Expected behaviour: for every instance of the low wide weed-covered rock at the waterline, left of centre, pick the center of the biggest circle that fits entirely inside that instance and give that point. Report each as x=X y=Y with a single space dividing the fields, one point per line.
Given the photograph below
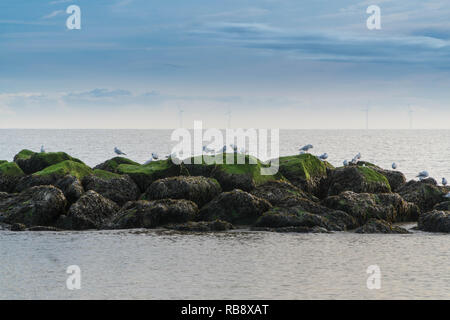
x=151 y=214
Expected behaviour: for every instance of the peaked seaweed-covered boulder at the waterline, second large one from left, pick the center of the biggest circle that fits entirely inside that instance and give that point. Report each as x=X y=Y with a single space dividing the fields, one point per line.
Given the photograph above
x=91 y=211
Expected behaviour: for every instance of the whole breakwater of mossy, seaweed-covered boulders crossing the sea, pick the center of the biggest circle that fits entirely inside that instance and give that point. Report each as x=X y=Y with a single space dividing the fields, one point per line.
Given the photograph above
x=55 y=191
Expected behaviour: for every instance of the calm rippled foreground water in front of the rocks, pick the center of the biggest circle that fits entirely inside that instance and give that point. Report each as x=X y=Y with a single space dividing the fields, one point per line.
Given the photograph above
x=159 y=264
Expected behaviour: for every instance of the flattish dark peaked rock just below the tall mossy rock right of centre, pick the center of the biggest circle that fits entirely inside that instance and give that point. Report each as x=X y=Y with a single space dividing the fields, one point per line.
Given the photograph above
x=278 y=192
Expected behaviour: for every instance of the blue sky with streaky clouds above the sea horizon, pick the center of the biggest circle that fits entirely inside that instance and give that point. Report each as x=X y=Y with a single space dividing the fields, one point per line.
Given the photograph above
x=309 y=64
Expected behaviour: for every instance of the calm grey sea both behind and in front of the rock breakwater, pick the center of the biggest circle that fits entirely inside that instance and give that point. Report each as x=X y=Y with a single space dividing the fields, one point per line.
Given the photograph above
x=156 y=264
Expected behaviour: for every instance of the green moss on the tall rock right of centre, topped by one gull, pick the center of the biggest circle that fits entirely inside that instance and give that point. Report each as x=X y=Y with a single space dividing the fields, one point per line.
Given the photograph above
x=305 y=166
